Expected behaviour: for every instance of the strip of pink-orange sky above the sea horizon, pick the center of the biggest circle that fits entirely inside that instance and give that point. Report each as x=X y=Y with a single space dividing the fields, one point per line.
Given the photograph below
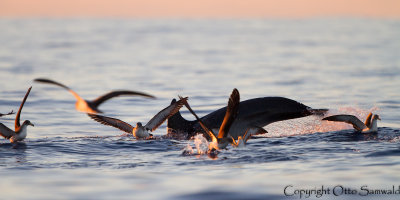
x=200 y=8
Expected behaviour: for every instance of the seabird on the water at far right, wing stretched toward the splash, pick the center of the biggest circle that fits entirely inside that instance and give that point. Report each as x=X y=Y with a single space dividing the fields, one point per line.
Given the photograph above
x=370 y=125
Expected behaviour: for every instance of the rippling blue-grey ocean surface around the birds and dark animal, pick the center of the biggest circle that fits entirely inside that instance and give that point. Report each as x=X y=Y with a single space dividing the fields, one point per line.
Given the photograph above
x=349 y=65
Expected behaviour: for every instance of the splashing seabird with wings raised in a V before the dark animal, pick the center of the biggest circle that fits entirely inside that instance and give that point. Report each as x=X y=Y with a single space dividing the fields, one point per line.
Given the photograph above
x=221 y=140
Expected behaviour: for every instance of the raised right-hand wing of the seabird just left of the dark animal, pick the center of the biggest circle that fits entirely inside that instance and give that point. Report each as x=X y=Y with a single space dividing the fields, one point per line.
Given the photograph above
x=166 y=113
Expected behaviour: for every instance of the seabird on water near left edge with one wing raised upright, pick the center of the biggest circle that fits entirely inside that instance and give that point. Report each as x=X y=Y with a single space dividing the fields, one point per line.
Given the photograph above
x=20 y=130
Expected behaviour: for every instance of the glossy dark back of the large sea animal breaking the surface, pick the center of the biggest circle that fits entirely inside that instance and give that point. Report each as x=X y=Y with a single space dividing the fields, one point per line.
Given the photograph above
x=253 y=113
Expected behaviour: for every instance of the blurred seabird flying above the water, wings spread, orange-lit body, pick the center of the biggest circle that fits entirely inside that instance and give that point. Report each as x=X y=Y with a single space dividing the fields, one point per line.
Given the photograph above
x=91 y=106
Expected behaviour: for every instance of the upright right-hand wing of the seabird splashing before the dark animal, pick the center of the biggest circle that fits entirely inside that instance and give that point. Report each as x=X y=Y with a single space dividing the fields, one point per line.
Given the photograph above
x=230 y=115
